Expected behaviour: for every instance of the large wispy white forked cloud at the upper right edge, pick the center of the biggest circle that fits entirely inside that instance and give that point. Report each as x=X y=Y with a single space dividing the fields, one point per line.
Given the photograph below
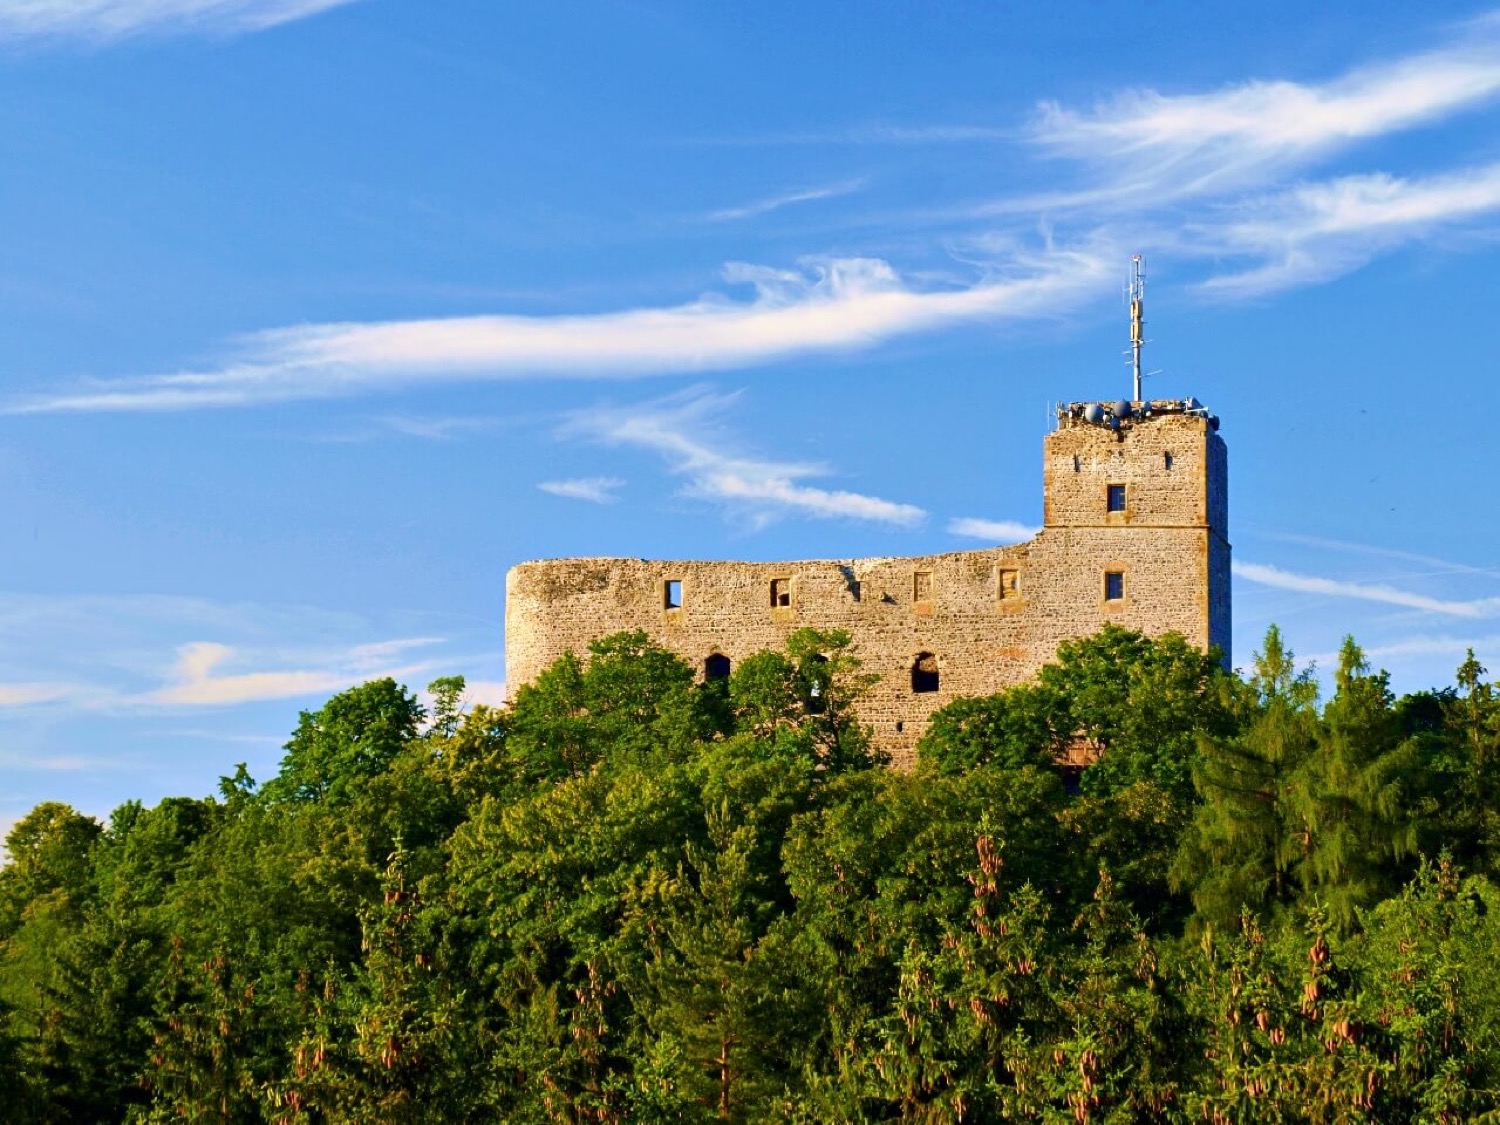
x=1205 y=176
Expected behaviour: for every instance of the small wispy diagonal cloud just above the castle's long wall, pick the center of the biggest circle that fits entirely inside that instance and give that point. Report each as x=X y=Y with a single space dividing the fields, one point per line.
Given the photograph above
x=683 y=430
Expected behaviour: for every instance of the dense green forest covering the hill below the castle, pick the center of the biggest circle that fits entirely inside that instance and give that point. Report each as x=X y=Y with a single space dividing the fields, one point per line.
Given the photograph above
x=637 y=898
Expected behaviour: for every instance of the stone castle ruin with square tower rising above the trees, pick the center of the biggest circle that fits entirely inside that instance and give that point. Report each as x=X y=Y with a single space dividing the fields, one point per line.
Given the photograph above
x=1136 y=533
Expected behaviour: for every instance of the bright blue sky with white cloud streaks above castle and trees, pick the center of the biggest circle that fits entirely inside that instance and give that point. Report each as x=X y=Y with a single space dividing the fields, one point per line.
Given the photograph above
x=320 y=314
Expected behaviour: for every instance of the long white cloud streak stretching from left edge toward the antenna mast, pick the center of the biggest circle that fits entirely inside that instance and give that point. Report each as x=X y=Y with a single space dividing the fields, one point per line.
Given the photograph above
x=827 y=307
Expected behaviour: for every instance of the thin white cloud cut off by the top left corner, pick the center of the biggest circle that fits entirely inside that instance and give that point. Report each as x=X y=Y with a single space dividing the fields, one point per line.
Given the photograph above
x=107 y=20
